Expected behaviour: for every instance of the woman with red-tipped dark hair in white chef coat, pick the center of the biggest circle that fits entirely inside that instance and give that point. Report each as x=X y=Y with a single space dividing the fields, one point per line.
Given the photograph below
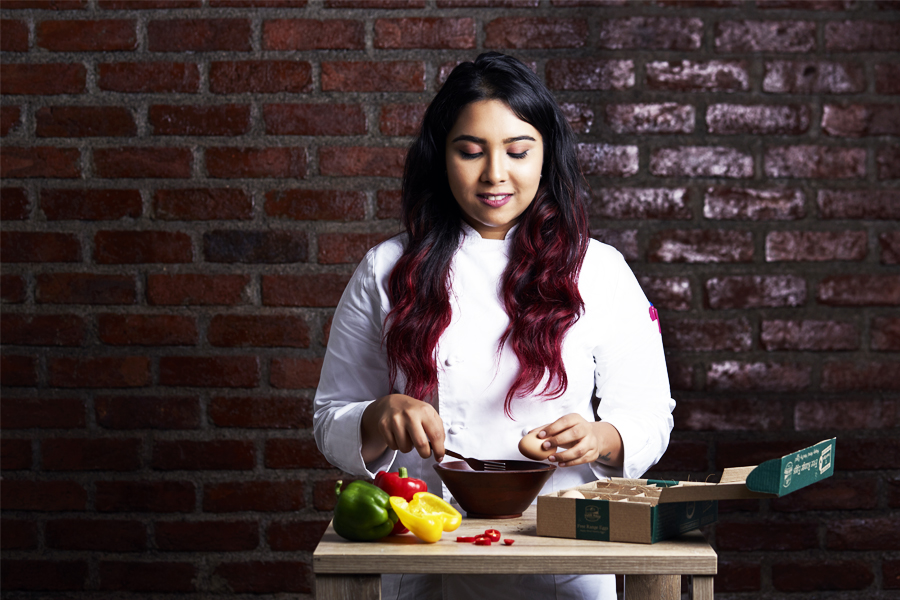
x=494 y=314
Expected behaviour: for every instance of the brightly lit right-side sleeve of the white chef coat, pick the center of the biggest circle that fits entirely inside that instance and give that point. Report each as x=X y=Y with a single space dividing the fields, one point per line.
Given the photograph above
x=630 y=376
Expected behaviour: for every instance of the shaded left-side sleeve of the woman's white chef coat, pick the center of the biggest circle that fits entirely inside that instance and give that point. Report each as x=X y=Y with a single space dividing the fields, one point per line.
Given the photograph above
x=354 y=374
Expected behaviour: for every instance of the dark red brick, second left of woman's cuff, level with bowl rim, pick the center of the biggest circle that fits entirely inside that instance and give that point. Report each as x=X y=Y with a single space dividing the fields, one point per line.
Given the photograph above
x=203 y=455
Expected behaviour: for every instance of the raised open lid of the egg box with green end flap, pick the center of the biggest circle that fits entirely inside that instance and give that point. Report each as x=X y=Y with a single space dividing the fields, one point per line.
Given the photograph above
x=771 y=479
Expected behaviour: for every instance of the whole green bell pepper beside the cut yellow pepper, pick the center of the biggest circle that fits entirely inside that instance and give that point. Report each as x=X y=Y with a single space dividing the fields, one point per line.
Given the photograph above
x=363 y=512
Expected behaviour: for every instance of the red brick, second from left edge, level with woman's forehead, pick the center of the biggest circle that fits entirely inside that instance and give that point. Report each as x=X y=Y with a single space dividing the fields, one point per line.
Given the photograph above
x=84 y=121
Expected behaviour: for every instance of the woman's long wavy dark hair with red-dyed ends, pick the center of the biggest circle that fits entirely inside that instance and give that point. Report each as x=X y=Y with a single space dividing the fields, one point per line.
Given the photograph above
x=540 y=284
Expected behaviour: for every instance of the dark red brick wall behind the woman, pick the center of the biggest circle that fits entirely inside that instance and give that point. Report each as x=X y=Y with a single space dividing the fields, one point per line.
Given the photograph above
x=187 y=185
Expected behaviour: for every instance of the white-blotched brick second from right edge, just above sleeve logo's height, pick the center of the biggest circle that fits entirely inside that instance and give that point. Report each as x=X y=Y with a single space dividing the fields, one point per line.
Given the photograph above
x=755 y=291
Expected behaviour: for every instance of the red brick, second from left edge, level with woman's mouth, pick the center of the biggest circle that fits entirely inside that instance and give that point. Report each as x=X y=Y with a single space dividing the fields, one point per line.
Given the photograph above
x=90 y=205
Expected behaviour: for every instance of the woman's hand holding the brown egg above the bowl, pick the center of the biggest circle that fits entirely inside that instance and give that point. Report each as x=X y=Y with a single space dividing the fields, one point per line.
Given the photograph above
x=582 y=441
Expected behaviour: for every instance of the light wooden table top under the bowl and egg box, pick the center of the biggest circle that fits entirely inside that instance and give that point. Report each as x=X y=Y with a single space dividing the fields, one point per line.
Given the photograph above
x=689 y=554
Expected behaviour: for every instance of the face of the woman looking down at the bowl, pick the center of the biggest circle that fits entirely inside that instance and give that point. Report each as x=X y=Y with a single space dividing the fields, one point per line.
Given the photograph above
x=494 y=162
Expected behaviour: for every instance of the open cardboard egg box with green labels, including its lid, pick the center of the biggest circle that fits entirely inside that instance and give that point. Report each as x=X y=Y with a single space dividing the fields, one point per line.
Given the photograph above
x=646 y=511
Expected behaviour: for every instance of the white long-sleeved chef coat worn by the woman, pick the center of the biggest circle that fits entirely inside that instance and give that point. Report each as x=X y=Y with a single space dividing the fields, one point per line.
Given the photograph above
x=614 y=348
